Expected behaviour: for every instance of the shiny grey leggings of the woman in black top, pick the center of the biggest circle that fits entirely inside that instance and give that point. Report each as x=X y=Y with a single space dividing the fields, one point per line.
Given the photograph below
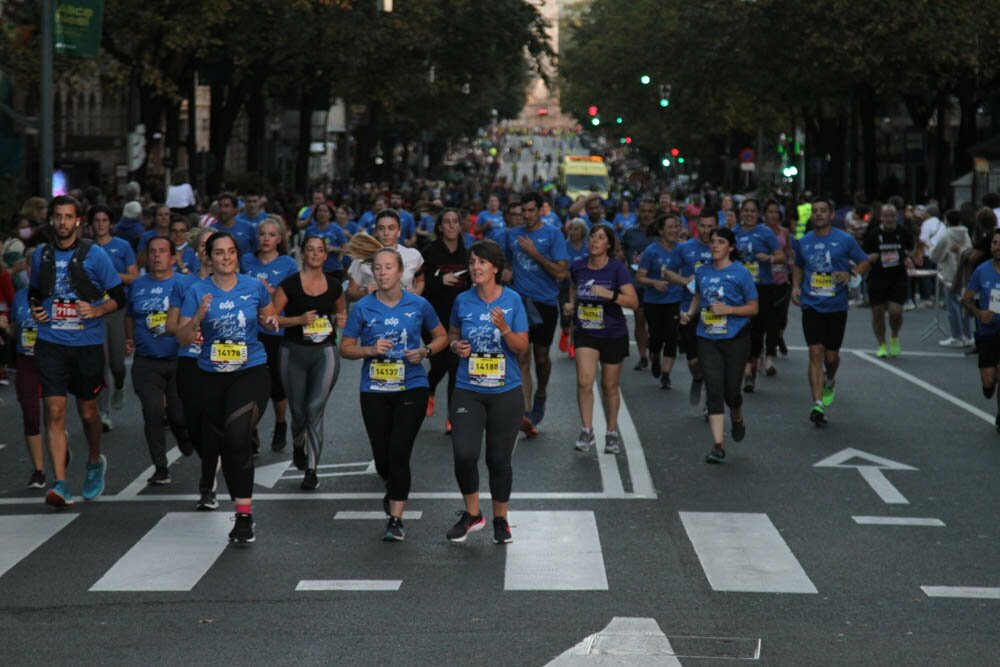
x=308 y=373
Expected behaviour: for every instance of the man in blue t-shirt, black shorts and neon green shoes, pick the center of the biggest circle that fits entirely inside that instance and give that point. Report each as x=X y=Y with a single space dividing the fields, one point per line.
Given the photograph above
x=820 y=275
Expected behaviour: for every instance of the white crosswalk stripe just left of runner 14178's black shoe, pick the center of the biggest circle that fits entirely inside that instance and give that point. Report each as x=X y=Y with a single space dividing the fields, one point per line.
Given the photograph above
x=173 y=556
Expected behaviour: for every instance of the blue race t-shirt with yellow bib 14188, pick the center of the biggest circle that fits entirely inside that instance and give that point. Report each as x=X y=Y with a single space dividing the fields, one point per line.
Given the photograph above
x=492 y=368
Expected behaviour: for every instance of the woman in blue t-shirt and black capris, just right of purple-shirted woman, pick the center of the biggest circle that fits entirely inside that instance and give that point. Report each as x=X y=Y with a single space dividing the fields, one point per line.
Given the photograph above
x=661 y=298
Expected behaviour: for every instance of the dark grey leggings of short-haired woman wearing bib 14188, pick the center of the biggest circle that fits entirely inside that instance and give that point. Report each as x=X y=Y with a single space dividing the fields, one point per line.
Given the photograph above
x=499 y=416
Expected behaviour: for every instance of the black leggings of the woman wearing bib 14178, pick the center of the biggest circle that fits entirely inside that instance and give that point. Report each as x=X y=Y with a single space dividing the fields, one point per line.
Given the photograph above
x=232 y=404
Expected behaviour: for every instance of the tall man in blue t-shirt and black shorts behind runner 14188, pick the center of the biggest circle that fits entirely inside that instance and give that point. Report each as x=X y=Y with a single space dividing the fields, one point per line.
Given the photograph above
x=538 y=258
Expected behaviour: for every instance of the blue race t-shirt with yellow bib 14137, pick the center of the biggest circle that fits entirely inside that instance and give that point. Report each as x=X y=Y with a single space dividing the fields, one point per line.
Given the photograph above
x=403 y=324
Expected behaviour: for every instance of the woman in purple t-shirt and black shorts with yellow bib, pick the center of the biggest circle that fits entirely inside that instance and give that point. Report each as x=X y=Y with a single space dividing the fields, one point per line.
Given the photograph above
x=599 y=288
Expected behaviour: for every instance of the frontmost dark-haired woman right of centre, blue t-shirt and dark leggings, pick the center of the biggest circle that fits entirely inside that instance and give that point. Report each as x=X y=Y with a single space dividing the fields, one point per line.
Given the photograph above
x=727 y=299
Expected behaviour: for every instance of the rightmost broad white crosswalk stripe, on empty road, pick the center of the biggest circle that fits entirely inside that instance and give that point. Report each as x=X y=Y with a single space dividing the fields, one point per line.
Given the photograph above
x=745 y=553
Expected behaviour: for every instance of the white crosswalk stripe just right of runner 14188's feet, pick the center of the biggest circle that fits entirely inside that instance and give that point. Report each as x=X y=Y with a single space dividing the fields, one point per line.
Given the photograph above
x=554 y=551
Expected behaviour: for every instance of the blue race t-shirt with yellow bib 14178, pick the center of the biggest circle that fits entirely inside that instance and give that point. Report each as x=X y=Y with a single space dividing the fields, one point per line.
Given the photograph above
x=230 y=326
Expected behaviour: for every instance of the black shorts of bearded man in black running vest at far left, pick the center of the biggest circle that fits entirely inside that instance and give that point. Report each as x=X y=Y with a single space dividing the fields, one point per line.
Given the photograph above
x=68 y=369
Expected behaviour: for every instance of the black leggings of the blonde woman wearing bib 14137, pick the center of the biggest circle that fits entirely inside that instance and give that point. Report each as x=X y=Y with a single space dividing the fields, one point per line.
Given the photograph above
x=393 y=421
